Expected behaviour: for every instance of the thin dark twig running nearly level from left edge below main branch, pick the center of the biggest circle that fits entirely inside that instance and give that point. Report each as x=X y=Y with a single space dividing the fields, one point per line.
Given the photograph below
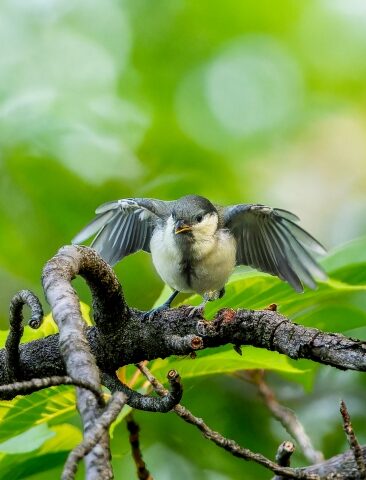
x=30 y=386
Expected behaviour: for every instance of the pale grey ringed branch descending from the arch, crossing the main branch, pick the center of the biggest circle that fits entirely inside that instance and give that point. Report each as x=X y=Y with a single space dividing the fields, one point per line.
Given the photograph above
x=75 y=349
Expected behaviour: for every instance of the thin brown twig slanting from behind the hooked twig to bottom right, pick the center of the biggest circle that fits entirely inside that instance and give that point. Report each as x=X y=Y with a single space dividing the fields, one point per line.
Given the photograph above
x=220 y=440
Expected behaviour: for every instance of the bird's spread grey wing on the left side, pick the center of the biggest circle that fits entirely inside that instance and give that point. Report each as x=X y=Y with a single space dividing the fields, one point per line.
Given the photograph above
x=123 y=227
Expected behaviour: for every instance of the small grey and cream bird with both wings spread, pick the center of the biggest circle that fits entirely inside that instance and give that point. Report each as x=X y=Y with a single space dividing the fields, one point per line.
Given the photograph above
x=196 y=244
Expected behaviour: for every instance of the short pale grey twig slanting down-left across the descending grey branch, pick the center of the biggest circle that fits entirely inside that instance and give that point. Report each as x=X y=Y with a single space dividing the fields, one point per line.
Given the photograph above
x=94 y=435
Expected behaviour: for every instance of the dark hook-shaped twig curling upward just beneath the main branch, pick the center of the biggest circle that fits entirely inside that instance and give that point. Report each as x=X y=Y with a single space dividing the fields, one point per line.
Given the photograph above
x=144 y=402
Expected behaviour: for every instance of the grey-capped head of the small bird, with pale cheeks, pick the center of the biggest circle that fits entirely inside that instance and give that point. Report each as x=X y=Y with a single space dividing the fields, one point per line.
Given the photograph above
x=194 y=216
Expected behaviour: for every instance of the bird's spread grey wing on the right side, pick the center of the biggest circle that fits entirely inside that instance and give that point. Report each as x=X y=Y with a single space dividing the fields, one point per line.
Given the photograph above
x=270 y=239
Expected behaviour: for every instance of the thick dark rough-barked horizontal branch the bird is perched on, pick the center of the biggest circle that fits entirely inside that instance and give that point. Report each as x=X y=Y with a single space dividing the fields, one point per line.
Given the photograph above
x=157 y=338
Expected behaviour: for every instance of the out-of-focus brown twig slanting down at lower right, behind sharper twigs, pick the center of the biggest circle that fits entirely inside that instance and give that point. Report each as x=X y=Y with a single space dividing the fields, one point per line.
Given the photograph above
x=284 y=415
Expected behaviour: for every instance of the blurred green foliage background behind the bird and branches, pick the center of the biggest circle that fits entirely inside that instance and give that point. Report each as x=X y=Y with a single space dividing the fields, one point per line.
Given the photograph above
x=238 y=101
